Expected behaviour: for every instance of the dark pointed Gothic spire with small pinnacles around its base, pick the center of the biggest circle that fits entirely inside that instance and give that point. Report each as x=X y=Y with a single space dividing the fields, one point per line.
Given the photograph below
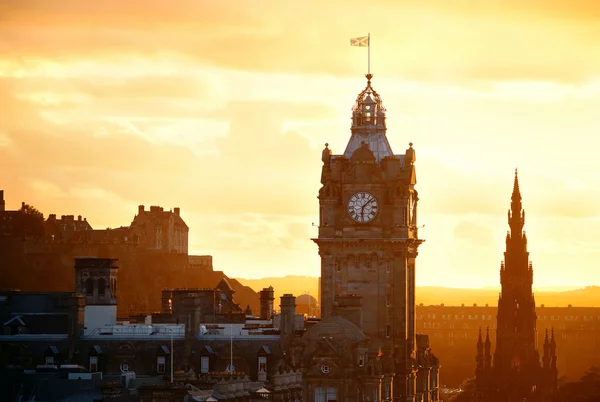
x=515 y=374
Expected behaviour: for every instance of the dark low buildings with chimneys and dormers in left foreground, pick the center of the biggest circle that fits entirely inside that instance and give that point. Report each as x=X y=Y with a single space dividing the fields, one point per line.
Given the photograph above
x=225 y=355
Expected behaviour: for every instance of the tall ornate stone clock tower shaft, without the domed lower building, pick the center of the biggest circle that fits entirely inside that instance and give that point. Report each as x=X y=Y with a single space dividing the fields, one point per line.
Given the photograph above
x=368 y=238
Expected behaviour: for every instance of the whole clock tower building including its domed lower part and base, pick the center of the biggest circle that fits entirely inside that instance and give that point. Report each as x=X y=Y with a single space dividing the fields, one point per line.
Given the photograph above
x=368 y=240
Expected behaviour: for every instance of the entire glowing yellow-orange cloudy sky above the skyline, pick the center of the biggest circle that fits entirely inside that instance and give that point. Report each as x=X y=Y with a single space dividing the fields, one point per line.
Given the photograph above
x=222 y=108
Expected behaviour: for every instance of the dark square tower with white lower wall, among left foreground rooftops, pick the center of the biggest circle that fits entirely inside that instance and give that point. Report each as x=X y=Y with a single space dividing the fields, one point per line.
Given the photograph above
x=96 y=280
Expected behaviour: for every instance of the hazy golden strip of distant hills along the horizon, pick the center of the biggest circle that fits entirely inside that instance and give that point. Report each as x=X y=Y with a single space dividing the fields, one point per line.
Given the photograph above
x=297 y=285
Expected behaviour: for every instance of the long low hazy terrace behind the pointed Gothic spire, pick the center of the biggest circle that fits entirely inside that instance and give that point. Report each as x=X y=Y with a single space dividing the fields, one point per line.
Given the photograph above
x=453 y=330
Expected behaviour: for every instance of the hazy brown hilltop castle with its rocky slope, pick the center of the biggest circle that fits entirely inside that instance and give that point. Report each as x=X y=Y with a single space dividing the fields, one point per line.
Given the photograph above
x=153 y=246
